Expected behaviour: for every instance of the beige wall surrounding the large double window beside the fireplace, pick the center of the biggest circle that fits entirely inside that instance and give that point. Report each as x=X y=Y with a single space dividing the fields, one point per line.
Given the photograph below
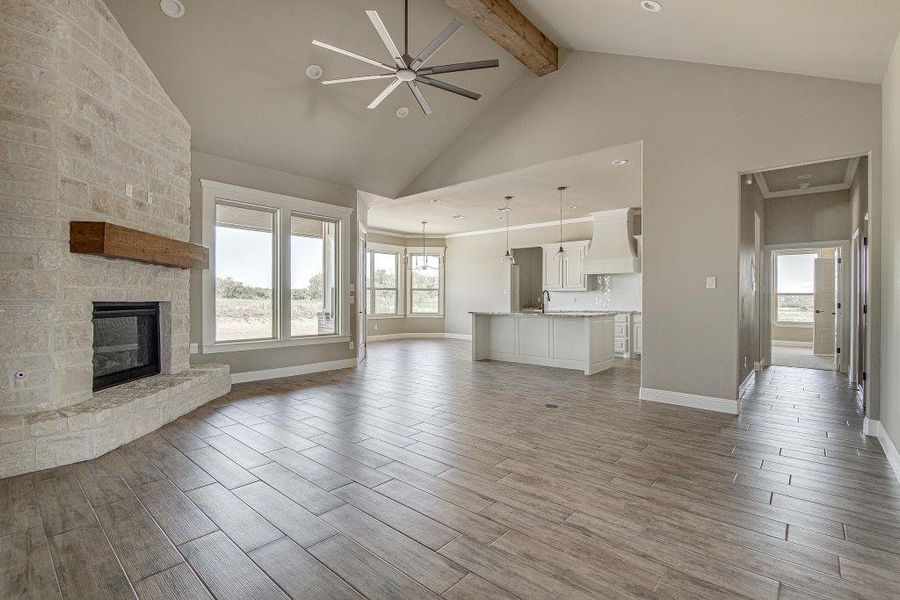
x=206 y=166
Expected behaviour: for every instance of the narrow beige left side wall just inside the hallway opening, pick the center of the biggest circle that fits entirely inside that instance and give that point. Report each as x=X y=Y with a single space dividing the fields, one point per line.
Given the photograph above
x=753 y=208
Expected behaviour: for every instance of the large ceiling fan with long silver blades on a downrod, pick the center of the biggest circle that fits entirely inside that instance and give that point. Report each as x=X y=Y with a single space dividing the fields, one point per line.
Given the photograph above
x=409 y=70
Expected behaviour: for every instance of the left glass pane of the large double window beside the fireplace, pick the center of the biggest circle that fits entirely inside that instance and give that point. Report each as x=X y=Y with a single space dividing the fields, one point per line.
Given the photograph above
x=244 y=266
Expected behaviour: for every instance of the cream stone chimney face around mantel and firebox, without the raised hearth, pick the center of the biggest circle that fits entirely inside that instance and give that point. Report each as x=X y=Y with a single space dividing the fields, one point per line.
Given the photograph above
x=81 y=116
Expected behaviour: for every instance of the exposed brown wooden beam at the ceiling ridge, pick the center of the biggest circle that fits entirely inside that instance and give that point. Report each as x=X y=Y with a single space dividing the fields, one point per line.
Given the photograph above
x=504 y=24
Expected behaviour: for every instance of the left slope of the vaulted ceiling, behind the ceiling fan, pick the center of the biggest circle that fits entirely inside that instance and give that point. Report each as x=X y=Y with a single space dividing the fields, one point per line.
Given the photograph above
x=236 y=70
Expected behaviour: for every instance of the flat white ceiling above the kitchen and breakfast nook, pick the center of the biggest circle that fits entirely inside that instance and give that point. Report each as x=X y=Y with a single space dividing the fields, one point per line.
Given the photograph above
x=594 y=184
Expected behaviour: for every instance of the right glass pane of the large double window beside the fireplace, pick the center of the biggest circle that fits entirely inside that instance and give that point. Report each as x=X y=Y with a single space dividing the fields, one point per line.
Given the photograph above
x=313 y=274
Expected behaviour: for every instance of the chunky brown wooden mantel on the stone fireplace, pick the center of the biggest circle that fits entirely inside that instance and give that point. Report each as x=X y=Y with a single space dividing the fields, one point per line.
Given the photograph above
x=114 y=241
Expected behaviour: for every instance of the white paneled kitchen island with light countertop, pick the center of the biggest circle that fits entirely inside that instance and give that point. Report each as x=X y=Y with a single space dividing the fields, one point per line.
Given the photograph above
x=582 y=341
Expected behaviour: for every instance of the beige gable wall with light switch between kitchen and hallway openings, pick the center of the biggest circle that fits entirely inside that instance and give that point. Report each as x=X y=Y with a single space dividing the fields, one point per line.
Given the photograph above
x=701 y=125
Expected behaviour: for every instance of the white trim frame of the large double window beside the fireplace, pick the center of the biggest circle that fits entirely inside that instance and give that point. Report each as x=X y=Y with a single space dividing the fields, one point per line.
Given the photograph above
x=285 y=205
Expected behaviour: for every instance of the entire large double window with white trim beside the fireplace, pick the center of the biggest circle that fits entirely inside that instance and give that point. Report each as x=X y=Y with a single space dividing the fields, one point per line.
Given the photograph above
x=275 y=277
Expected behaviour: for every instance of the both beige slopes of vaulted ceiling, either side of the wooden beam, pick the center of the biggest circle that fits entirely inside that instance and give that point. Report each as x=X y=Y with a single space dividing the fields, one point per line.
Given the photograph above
x=236 y=67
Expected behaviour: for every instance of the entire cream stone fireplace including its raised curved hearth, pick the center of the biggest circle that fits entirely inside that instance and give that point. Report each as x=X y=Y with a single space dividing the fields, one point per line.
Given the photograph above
x=92 y=136
